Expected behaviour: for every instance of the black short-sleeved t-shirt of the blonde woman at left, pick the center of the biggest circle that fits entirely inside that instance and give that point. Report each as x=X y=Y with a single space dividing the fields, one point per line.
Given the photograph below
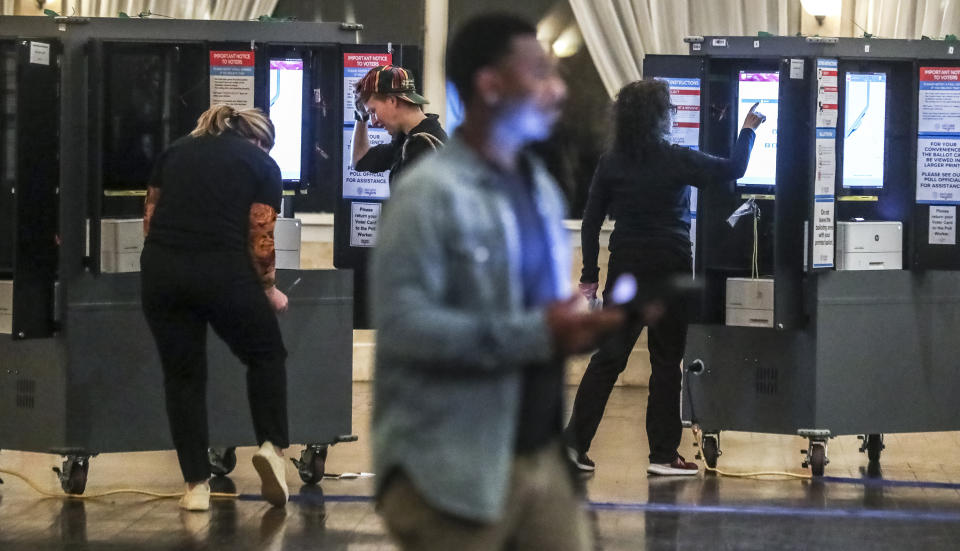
x=208 y=185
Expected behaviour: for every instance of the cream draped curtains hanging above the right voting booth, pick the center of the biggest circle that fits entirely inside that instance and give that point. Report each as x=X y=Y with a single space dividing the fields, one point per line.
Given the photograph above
x=619 y=33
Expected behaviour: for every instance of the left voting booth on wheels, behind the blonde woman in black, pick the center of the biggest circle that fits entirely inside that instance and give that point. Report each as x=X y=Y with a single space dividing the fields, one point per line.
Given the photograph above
x=88 y=105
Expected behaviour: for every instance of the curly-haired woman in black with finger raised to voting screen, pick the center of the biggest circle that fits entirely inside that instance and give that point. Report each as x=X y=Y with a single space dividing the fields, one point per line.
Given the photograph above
x=643 y=182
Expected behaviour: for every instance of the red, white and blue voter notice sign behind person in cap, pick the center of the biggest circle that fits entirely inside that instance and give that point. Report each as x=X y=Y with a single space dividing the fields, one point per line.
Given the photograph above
x=361 y=185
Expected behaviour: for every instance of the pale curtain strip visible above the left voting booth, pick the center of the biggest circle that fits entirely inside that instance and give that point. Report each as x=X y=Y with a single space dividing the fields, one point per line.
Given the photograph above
x=180 y=9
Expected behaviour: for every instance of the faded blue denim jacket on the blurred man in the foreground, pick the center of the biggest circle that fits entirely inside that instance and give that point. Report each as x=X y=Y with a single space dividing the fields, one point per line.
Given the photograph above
x=452 y=330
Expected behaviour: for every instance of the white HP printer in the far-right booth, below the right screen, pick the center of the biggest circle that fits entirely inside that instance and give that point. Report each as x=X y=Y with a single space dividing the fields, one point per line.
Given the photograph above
x=866 y=245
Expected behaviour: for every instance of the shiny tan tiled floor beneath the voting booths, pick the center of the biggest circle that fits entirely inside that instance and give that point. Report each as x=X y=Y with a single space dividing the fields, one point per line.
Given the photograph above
x=849 y=510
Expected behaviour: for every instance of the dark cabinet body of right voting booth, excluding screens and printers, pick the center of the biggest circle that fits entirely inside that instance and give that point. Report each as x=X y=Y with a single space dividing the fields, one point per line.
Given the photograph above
x=849 y=352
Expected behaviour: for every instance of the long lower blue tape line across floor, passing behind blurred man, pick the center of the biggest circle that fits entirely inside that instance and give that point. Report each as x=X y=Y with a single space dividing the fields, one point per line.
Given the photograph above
x=691 y=508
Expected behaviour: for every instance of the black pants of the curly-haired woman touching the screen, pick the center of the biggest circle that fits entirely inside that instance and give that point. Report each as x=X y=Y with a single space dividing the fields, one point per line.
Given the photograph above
x=656 y=271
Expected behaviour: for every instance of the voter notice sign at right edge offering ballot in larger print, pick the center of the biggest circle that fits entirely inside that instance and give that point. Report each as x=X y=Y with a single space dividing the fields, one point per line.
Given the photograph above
x=938 y=140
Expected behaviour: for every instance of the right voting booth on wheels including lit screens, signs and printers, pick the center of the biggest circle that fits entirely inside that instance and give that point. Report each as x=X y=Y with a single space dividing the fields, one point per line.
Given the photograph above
x=828 y=294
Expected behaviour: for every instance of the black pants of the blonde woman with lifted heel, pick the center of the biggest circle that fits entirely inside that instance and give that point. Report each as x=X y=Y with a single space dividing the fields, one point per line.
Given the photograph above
x=182 y=293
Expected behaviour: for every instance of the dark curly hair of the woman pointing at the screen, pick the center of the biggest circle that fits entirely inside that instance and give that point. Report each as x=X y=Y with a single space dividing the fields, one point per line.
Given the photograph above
x=641 y=117
